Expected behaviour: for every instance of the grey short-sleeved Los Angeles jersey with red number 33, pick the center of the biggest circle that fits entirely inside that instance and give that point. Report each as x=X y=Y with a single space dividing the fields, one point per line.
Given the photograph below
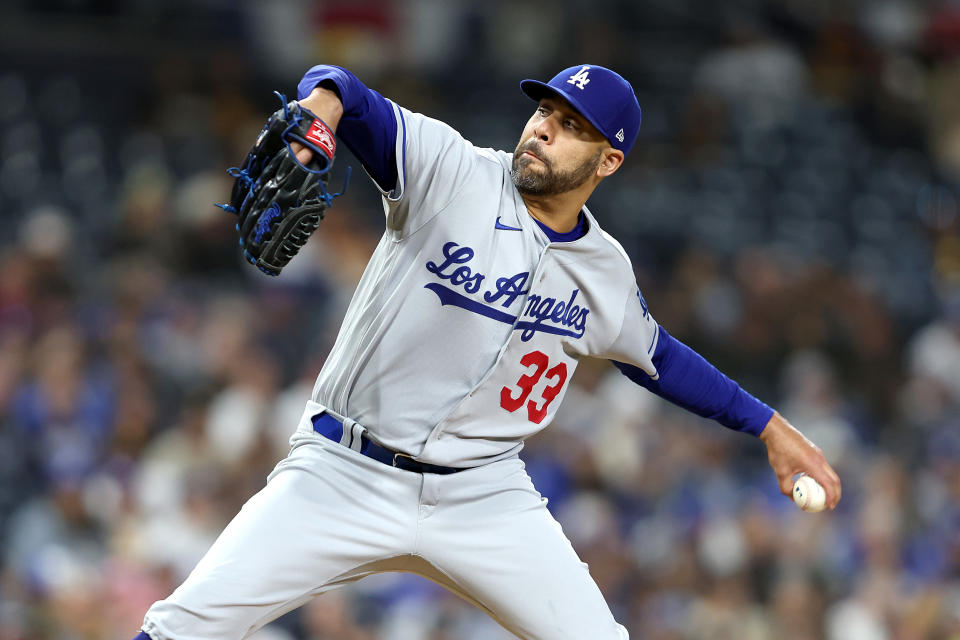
x=468 y=322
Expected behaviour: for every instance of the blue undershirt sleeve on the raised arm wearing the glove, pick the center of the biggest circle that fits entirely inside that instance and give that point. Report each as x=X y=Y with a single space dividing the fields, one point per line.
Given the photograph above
x=368 y=126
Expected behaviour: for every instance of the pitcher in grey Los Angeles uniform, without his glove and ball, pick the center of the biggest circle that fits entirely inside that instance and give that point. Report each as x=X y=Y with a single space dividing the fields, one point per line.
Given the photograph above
x=491 y=281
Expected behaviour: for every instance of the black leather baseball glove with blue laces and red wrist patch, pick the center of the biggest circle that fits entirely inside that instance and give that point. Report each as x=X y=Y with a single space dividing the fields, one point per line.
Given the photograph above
x=279 y=201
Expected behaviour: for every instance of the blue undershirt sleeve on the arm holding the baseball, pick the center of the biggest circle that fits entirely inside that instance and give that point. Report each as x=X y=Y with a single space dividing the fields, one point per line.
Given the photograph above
x=687 y=380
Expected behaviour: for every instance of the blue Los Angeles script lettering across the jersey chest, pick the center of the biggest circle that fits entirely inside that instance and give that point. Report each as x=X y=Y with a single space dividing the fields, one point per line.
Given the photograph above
x=544 y=310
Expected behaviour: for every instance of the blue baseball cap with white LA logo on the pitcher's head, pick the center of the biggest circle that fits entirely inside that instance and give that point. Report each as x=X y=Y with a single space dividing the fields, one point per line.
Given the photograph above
x=600 y=95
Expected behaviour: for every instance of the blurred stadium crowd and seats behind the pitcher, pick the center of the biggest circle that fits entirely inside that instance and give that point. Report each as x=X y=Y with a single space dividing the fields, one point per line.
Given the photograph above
x=791 y=208
